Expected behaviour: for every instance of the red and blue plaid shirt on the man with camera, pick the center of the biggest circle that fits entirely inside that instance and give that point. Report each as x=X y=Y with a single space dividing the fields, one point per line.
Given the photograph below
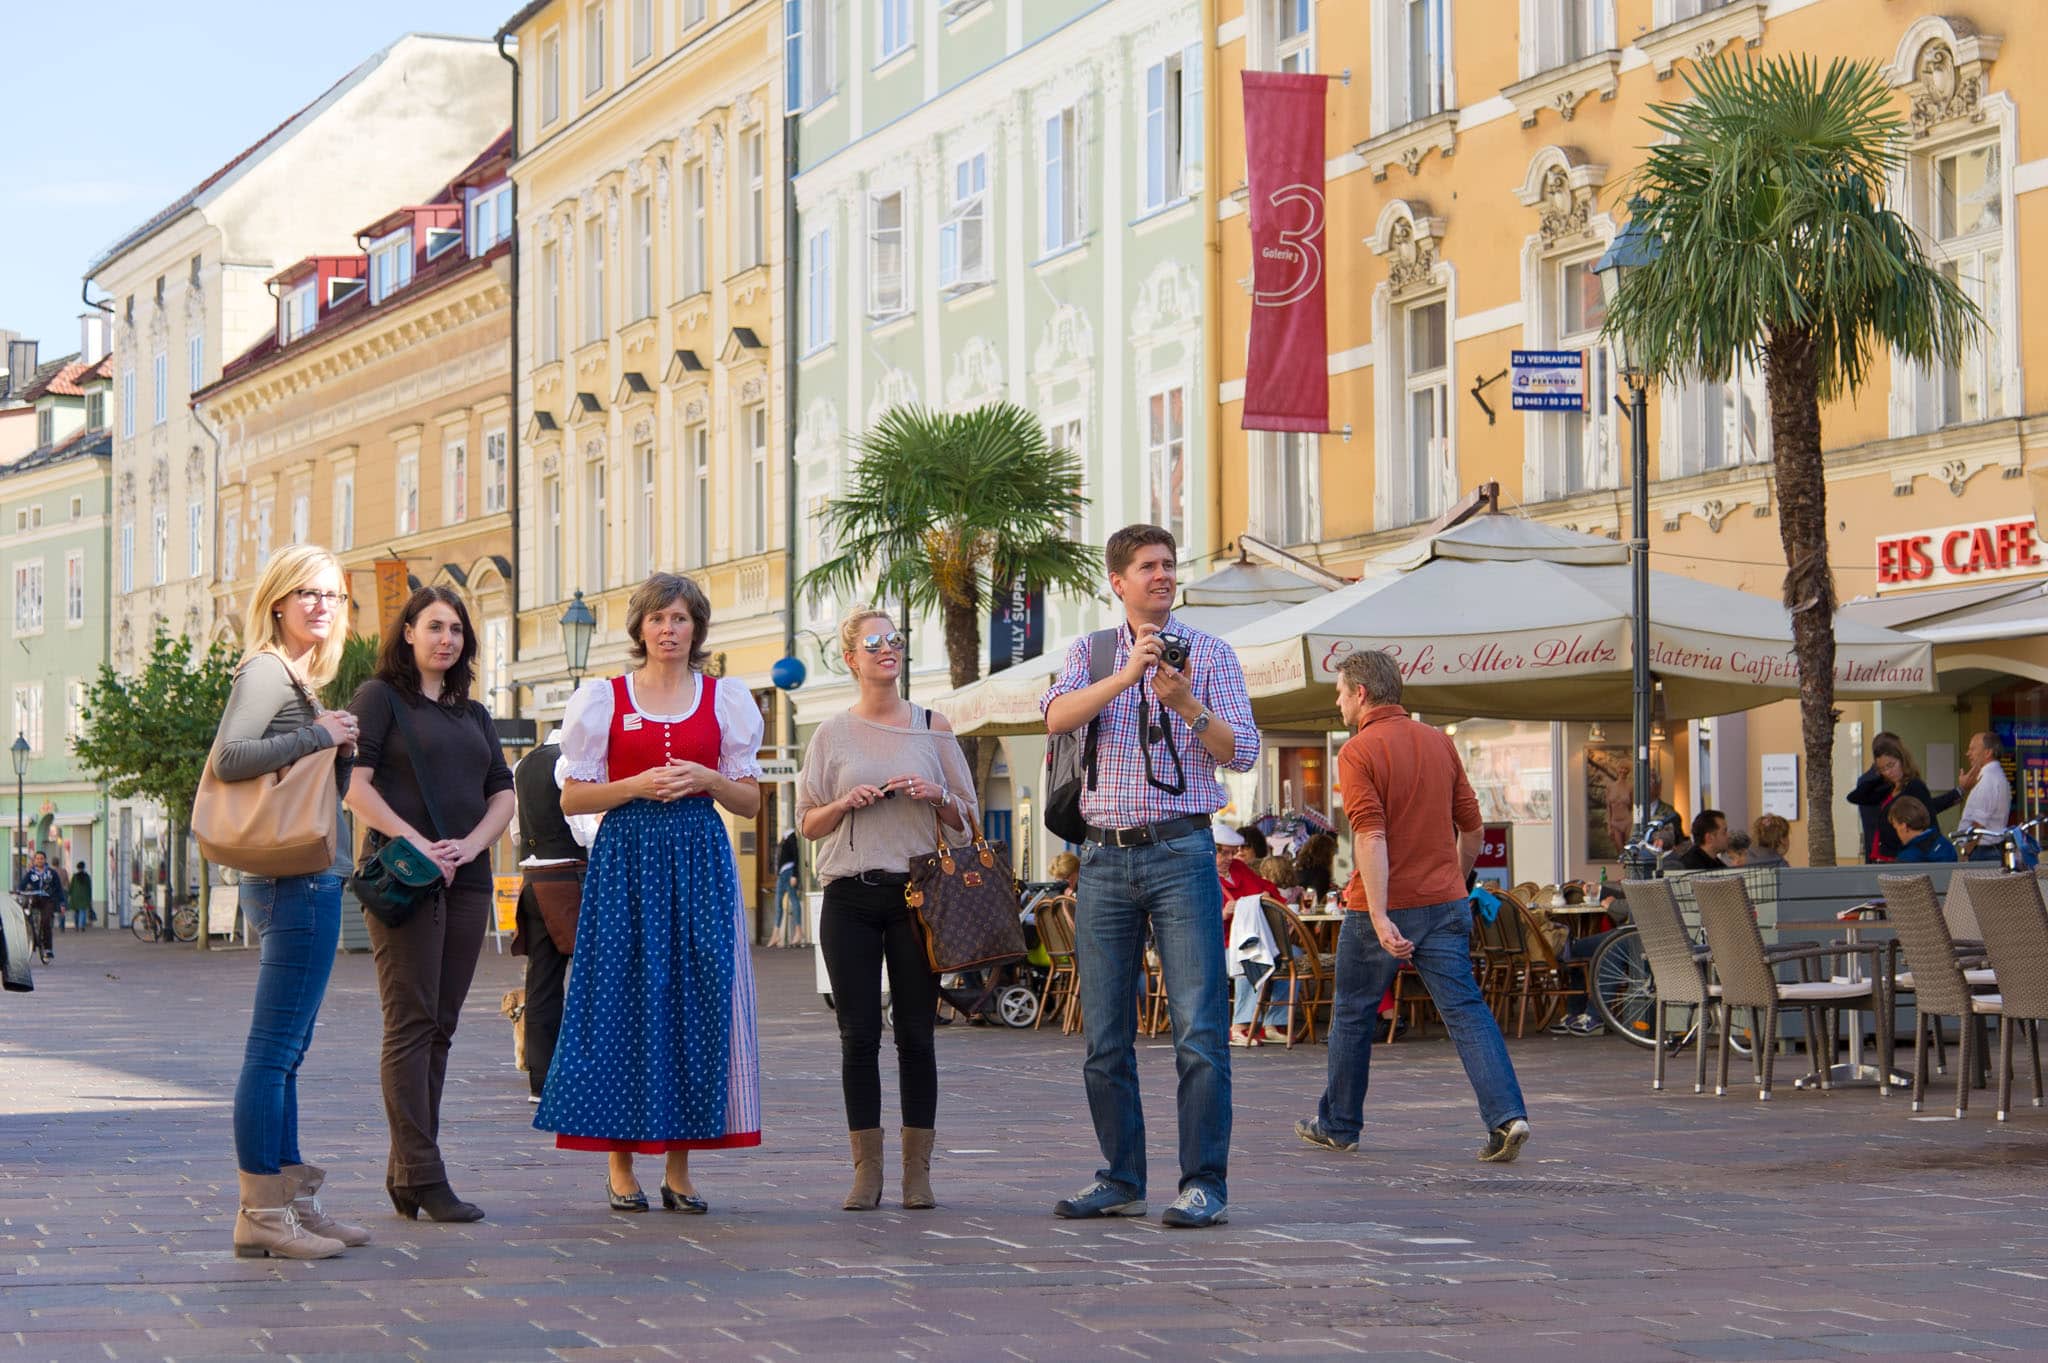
x=1121 y=795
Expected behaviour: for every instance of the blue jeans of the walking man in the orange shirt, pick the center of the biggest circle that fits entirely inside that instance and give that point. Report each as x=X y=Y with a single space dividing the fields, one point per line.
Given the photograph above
x=1443 y=936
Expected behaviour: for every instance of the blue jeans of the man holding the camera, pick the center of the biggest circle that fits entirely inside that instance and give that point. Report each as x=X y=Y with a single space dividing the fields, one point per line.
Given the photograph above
x=1170 y=887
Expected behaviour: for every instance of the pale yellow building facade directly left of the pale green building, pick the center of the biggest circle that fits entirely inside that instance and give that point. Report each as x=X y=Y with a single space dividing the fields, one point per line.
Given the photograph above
x=650 y=333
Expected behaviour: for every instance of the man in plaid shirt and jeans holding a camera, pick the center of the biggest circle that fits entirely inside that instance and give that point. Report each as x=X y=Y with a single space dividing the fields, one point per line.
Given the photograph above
x=1150 y=861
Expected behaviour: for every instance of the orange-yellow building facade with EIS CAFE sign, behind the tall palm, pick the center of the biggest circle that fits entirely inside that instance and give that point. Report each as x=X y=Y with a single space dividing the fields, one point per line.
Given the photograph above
x=1478 y=155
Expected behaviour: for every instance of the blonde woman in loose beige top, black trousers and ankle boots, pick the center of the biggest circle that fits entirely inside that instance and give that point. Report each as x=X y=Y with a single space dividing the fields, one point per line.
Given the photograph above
x=871 y=789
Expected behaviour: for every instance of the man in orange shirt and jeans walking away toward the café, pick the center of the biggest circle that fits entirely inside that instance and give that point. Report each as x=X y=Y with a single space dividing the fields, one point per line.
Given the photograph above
x=1416 y=834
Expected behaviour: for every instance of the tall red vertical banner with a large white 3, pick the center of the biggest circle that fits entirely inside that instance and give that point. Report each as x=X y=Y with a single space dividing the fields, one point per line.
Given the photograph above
x=1287 y=363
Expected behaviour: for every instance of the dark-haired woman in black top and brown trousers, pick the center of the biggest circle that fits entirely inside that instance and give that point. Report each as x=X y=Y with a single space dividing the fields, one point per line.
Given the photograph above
x=425 y=965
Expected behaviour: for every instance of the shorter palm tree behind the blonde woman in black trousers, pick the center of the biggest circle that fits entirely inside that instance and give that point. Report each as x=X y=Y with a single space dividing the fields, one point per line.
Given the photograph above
x=943 y=507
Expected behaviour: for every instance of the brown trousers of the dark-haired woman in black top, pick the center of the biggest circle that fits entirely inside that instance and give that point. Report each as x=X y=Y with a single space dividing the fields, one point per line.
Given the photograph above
x=423 y=977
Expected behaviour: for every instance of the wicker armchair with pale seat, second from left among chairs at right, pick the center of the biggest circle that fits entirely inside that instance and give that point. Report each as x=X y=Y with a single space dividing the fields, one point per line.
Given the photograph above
x=1750 y=981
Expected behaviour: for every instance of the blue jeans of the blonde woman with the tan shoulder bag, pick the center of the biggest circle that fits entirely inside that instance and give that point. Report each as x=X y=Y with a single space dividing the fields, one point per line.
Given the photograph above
x=300 y=920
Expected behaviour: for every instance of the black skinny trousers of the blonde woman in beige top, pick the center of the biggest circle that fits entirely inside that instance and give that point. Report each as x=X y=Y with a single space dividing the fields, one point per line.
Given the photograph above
x=863 y=926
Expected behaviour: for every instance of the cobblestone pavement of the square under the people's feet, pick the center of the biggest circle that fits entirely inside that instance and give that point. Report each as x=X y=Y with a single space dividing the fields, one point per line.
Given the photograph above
x=1637 y=1227
